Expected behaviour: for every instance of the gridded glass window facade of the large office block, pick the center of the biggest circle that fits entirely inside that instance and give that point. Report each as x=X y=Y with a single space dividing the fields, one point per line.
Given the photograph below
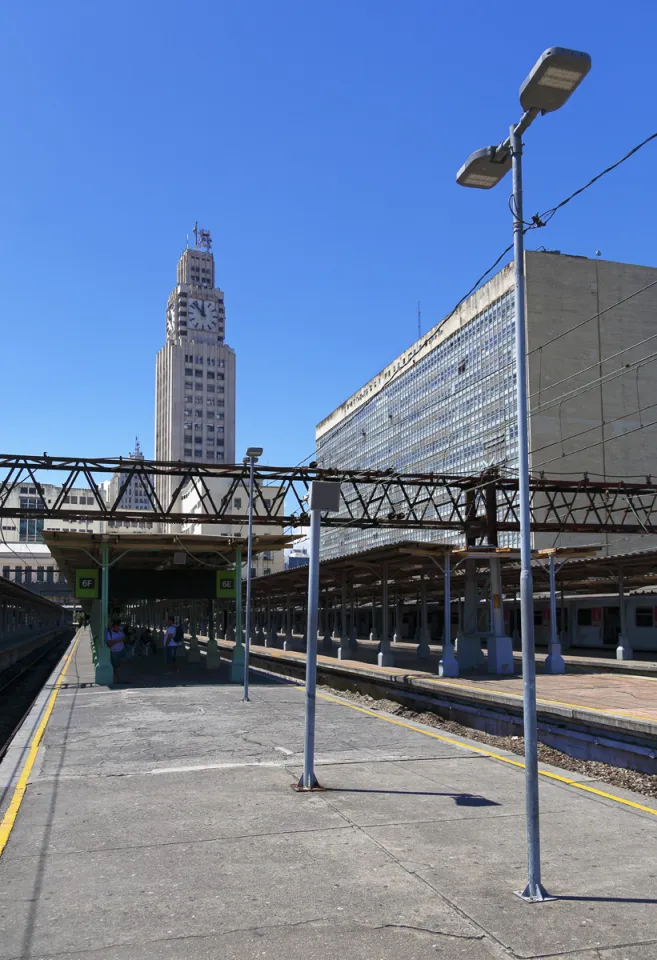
x=453 y=411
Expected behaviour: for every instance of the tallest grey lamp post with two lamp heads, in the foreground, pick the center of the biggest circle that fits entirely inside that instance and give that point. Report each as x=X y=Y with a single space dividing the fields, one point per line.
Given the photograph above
x=556 y=74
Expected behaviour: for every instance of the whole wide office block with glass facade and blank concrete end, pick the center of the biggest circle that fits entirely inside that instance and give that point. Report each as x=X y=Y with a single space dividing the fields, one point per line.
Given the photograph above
x=448 y=403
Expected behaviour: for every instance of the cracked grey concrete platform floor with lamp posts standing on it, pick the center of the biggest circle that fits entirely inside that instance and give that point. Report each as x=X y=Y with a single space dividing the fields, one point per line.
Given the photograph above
x=159 y=822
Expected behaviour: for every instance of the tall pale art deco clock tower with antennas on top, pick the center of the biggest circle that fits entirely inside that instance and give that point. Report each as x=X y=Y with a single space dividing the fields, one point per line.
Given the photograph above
x=195 y=370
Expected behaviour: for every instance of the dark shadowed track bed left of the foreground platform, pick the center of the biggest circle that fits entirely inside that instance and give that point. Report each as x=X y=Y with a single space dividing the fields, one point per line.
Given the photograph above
x=21 y=684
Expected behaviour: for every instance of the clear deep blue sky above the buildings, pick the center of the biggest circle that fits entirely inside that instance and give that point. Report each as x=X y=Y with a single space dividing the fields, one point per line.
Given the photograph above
x=319 y=142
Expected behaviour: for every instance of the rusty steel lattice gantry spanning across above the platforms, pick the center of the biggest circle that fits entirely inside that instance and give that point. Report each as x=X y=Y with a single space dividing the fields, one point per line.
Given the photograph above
x=478 y=506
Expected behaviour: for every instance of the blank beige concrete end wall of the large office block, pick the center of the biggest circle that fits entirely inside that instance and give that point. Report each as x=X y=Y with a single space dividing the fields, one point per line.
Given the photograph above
x=589 y=395
